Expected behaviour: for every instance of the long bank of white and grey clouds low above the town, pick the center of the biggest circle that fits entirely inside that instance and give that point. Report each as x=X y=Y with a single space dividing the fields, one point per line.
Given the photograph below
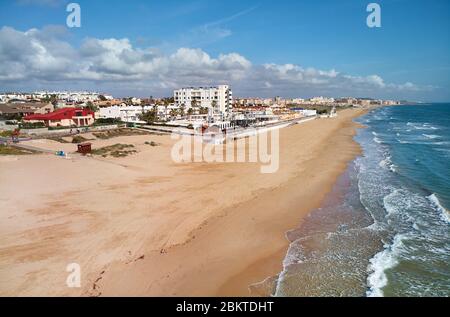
x=44 y=57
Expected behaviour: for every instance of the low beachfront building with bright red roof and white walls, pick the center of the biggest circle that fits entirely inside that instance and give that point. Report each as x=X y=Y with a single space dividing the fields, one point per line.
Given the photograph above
x=65 y=117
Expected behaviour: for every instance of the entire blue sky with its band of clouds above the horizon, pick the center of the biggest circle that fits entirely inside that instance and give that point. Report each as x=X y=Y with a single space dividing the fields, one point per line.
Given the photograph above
x=262 y=48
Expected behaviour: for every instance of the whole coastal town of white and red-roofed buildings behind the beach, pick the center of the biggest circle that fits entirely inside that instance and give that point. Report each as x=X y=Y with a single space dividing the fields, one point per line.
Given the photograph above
x=190 y=110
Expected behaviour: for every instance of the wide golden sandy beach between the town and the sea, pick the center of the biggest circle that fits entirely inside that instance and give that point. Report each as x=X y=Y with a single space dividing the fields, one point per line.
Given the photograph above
x=143 y=225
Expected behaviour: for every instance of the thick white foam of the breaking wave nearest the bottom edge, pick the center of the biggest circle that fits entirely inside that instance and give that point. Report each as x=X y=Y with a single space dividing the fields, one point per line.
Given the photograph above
x=380 y=263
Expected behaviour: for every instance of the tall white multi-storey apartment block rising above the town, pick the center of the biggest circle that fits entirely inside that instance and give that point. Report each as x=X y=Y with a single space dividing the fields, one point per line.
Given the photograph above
x=219 y=98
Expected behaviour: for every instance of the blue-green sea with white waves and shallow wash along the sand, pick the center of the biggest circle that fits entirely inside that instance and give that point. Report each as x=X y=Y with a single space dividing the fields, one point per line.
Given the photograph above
x=384 y=230
